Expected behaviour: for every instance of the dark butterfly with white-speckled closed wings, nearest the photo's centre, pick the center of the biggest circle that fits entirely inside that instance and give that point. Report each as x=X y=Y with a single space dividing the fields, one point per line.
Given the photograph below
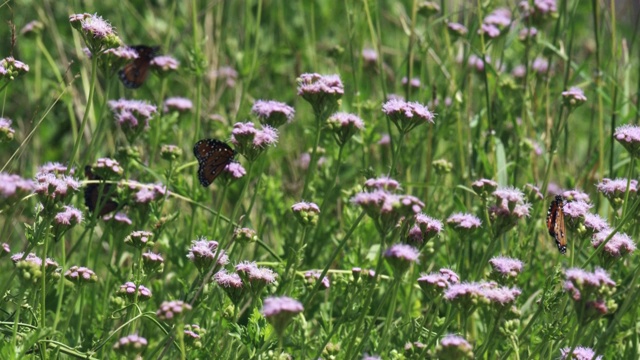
x=212 y=155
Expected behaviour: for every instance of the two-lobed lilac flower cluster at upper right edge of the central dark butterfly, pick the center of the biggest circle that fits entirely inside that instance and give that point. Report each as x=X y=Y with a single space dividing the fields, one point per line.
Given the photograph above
x=251 y=142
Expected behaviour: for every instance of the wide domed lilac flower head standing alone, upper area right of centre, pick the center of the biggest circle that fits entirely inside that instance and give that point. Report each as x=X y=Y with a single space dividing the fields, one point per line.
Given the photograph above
x=407 y=115
